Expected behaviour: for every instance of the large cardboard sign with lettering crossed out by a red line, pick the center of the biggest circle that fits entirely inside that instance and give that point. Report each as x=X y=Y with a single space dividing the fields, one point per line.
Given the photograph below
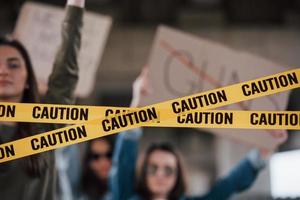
x=181 y=64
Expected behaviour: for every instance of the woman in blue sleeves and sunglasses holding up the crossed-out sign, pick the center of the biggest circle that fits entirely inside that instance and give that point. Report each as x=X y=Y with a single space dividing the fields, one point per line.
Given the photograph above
x=160 y=174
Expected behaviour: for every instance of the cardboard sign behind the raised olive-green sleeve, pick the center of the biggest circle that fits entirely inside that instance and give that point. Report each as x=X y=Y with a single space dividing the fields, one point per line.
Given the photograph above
x=39 y=29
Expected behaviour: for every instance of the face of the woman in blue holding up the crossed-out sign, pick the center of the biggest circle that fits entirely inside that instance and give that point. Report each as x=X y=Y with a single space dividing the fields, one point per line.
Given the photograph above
x=161 y=173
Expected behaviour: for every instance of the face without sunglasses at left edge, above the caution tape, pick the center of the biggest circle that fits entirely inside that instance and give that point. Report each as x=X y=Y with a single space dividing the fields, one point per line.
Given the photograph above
x=13 y=74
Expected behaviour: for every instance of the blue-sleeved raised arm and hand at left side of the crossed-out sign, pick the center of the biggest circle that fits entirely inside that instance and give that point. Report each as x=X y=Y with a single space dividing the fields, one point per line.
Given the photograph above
x=122 y=175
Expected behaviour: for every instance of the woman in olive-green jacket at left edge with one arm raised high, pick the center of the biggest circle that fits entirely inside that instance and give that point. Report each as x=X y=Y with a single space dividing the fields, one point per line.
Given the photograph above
x=34 y=177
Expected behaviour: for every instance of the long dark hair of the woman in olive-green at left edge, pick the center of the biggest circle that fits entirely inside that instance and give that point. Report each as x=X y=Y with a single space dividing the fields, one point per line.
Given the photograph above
x=36 y=164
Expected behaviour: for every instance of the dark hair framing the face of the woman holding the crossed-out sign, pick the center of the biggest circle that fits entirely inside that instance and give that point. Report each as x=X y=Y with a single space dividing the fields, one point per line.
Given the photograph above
x=141 y=183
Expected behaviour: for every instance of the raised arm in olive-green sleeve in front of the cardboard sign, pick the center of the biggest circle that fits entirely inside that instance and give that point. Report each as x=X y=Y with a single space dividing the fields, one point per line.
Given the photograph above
x=63 y=79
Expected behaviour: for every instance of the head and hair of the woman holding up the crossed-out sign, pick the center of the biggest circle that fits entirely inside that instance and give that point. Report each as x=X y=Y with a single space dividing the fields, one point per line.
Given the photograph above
x=169 y=165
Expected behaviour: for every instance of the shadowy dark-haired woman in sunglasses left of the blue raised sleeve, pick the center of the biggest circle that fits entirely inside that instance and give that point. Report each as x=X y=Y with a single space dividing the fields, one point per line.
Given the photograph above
x=96 y=166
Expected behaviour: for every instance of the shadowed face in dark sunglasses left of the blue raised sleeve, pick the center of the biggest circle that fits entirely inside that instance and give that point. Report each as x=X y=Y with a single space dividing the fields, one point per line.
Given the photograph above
x=100 y=160
